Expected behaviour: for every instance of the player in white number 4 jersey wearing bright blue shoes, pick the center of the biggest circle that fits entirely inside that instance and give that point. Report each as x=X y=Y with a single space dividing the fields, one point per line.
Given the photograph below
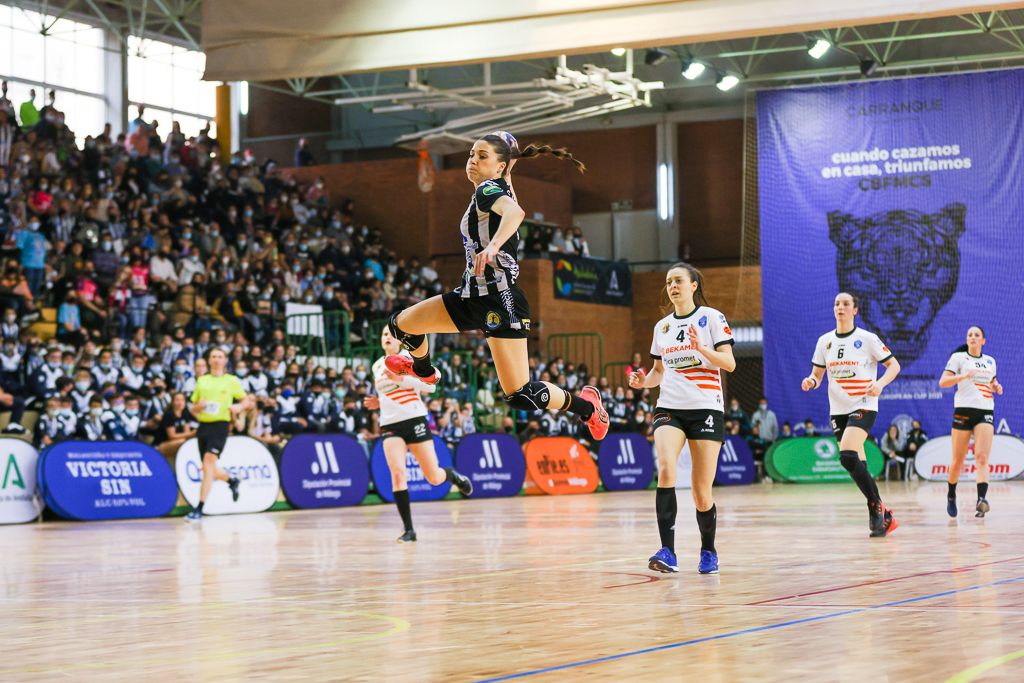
x=691 y=349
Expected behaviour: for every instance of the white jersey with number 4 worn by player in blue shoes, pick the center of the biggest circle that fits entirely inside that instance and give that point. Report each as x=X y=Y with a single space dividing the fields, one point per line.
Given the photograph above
x=691 y=381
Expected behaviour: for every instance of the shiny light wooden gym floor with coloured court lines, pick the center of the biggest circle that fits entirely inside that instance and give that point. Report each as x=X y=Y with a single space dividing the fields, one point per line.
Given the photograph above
x=539 y=588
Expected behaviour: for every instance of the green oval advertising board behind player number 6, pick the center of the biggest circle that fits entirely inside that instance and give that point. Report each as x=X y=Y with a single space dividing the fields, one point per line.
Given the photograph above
x=815 y=459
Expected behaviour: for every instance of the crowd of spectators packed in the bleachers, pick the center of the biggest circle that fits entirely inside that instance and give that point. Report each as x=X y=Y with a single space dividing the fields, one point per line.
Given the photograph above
x=154 y=250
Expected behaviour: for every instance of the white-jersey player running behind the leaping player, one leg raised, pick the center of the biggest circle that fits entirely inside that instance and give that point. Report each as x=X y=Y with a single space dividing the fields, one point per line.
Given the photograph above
x=405 y=428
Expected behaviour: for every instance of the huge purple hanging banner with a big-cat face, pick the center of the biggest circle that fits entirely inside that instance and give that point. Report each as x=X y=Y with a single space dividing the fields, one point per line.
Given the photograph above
x=908 y=194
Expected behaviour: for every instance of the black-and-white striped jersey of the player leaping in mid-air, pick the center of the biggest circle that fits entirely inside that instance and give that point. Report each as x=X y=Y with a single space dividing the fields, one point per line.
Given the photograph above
x=479 y=225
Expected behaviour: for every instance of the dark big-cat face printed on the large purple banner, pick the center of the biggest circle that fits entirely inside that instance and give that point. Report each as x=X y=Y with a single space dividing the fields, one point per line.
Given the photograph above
x=905 y=268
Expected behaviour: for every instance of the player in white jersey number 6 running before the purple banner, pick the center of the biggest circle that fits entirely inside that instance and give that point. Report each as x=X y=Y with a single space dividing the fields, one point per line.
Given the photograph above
x=851 y=357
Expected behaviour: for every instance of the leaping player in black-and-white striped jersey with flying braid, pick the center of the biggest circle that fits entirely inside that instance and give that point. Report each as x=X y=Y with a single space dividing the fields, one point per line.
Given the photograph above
x=489 y=298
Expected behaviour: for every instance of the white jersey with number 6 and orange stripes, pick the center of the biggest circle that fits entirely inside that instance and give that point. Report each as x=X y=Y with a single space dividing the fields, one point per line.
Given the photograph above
x=851 y=362
